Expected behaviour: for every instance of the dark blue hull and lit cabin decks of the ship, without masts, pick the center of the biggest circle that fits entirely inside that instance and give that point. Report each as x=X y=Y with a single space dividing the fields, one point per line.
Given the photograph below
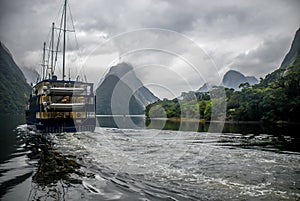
x=61 y=106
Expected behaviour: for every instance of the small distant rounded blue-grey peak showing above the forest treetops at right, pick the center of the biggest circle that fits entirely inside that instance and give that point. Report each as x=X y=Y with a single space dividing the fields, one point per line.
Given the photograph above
x=233 y=79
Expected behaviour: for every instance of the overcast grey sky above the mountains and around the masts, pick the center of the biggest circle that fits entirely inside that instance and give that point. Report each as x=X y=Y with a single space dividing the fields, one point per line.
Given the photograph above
x=192 y=41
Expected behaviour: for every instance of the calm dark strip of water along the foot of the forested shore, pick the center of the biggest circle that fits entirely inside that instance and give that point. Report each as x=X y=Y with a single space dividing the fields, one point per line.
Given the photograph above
x=229 y=127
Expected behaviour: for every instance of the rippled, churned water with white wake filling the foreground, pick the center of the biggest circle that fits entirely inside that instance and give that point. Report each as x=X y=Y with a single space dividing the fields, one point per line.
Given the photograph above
x=149 y=164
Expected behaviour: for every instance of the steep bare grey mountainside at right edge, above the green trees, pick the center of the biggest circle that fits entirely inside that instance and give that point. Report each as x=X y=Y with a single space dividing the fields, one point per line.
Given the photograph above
x=293 y=53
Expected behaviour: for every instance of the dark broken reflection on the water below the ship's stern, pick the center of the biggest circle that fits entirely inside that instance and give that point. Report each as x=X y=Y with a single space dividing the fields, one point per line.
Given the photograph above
x=53 y=173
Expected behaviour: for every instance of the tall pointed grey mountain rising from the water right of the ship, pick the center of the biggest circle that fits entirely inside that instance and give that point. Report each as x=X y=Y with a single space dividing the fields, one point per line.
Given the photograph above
x=121 y=92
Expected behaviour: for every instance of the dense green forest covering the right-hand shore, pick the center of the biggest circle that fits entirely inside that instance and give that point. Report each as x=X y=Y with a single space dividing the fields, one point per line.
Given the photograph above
x=275 y=98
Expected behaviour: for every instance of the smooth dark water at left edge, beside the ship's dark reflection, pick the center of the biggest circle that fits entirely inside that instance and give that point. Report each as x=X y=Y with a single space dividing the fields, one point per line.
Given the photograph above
x=13 y=168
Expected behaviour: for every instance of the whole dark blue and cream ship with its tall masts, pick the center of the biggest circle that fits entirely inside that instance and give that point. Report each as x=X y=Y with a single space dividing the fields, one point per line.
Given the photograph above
x=60 y=105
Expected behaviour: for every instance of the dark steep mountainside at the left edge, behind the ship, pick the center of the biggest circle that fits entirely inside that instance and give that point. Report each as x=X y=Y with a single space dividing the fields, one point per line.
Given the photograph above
x=14 y=90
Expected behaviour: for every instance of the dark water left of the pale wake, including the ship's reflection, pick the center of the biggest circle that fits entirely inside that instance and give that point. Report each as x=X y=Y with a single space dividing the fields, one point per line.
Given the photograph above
x=30 y=165
